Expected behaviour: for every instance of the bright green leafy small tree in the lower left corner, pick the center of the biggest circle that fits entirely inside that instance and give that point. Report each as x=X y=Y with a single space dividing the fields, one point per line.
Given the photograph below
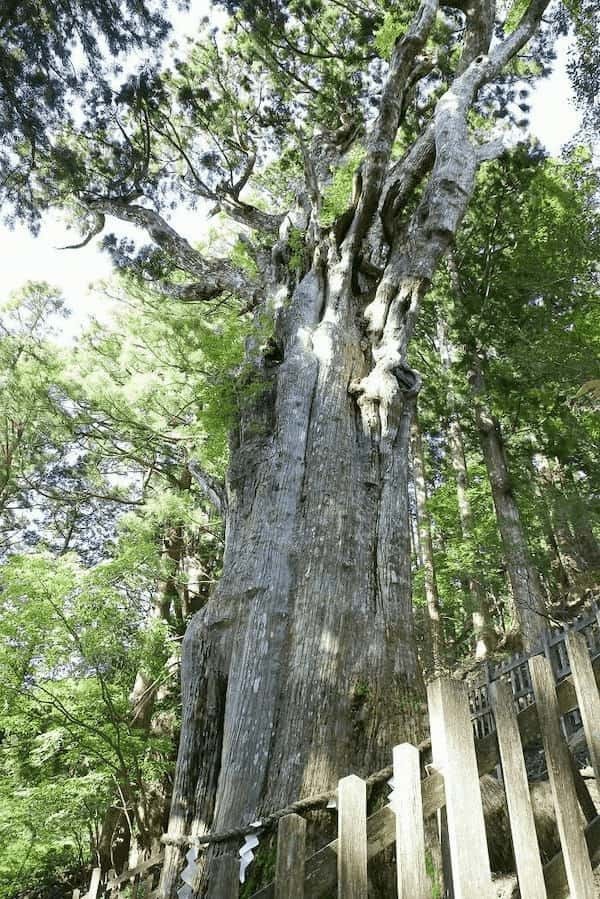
x=70 y=643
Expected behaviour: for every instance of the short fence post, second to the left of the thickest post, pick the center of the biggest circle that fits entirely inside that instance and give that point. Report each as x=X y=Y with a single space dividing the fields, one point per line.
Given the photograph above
x=352 y=838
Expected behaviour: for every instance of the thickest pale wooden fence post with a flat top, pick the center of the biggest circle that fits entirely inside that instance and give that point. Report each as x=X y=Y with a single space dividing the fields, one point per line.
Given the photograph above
x=454 y=756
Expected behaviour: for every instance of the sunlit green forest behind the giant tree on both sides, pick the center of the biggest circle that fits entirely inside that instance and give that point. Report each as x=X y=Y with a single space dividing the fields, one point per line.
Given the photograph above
x=114 y=448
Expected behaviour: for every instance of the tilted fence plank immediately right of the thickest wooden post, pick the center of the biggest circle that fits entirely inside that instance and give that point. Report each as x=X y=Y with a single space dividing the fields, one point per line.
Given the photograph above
x=522 y=824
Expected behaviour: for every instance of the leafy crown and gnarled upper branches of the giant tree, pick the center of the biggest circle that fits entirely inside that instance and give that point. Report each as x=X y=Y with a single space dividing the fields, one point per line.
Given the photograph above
x=266 y=111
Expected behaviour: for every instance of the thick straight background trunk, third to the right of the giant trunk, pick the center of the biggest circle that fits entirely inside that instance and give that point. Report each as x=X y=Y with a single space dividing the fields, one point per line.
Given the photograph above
x=528 y=598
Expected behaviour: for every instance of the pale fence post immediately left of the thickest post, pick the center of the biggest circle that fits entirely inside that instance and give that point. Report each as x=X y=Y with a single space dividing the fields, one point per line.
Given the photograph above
x=410 y=838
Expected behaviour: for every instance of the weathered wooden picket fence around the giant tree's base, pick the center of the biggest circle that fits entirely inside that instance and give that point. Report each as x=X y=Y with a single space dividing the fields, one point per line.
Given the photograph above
x=451 y=787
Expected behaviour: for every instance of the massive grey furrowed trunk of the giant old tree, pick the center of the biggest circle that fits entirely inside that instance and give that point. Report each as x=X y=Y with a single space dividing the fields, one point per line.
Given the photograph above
x=302 y=667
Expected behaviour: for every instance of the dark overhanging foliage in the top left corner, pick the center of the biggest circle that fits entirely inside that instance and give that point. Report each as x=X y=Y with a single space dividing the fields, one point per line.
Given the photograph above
x=50 y=56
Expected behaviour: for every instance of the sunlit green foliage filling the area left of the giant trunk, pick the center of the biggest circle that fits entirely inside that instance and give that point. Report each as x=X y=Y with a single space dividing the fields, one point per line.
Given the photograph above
x=135 y=400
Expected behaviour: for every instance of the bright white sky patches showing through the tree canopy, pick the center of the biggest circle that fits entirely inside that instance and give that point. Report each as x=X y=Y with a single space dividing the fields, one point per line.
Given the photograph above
x=553 y=119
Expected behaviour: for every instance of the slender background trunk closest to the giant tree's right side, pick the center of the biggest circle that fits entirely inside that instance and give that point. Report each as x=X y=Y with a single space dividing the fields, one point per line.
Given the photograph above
x=436 y=635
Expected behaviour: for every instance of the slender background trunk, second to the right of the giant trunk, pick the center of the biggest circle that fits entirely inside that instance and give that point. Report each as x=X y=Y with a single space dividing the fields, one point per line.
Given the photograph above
x=483 y=626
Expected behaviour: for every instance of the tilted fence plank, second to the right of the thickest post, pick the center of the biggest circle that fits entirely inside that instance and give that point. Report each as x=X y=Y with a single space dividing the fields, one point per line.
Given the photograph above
x=574 y=847
